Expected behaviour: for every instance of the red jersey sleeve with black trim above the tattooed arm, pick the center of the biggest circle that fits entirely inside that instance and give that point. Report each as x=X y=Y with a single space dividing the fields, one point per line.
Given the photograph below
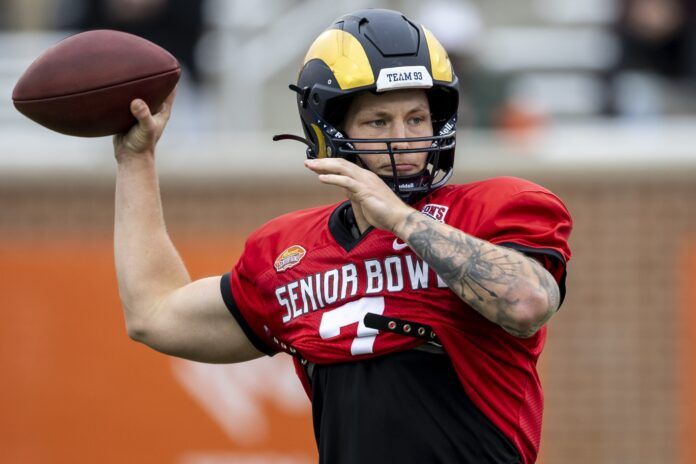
x=536 y=223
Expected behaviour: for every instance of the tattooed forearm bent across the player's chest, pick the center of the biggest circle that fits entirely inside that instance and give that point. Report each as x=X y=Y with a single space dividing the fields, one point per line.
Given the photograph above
x=493 y=280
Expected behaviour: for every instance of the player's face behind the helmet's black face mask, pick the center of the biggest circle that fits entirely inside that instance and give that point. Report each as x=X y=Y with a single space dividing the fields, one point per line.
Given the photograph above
x=395 y=114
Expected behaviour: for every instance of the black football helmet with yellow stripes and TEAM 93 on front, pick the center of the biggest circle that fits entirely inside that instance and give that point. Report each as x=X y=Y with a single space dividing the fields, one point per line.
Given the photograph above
x=378 y=50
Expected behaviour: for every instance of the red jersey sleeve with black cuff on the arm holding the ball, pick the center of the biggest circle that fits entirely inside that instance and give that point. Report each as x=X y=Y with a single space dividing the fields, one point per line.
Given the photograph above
x=244 y=301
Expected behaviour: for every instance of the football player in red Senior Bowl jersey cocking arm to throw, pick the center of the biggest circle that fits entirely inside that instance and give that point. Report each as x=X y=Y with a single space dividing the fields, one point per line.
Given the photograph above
x=414 y=310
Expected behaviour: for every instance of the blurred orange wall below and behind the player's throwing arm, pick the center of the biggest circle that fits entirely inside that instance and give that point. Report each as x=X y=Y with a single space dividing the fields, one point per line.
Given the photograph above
x=75 y=389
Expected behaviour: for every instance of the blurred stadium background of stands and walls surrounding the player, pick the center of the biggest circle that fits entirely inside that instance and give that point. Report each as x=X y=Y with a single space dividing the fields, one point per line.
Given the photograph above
x=595 y=99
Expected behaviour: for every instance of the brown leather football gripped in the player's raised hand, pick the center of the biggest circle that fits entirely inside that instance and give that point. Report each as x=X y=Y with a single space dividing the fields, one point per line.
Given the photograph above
x=84 y=84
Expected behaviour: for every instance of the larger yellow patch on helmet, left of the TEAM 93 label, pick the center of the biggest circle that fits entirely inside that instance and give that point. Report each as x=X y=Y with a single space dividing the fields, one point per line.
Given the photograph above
x=346 y=58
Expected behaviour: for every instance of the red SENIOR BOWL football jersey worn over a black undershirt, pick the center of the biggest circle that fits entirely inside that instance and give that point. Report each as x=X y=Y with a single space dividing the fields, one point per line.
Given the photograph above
x=300 y=288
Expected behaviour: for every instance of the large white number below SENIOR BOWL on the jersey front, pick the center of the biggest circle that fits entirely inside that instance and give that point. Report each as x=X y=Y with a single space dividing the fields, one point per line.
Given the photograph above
x=333 y=321
